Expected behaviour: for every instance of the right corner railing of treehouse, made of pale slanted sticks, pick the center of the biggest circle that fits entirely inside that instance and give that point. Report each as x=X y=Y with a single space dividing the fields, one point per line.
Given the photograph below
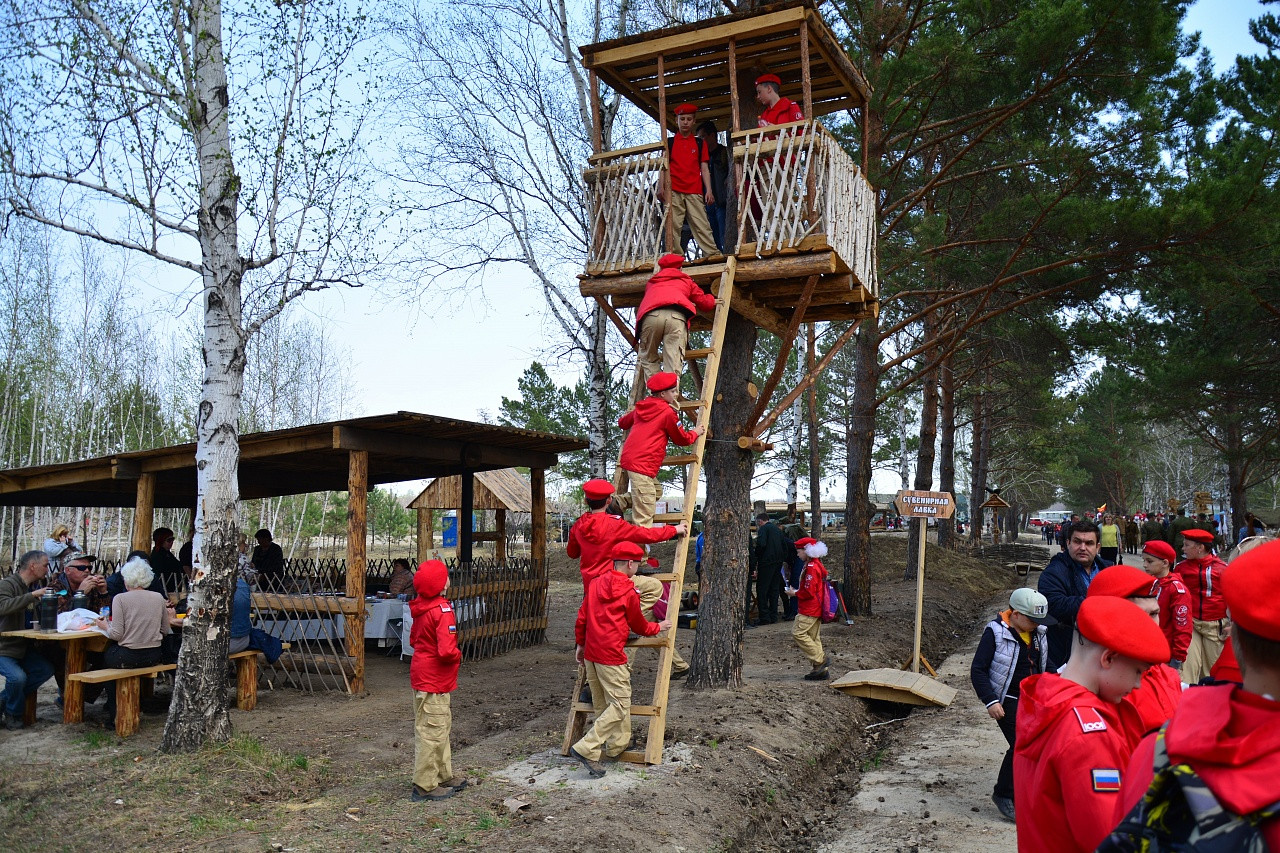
x=799 y=189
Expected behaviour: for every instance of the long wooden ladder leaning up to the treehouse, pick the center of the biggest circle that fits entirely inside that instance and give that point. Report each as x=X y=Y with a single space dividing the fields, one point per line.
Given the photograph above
x=666 y=645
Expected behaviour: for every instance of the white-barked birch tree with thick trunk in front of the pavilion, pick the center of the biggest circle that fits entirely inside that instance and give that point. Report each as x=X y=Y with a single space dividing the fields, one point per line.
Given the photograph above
x=225 y=148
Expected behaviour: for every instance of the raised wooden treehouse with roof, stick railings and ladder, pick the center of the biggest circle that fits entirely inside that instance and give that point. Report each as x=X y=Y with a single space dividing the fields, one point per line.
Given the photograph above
x=799 y=240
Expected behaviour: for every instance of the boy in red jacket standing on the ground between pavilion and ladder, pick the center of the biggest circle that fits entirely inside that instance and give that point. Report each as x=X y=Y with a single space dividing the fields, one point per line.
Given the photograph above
x=435 y=676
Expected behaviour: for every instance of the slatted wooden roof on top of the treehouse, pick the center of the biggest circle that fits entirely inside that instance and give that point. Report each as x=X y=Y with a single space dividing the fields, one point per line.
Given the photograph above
x=694 y=62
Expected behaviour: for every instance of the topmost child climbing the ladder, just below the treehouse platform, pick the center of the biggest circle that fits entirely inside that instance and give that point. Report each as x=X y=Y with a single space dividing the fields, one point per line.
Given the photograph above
x=671 y=300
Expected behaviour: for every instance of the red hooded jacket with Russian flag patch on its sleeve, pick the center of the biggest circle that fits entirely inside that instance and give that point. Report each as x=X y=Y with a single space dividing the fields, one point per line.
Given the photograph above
x=1069 y=752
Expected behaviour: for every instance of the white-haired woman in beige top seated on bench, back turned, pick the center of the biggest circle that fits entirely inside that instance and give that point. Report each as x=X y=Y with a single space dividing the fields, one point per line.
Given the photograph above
x=140 y=622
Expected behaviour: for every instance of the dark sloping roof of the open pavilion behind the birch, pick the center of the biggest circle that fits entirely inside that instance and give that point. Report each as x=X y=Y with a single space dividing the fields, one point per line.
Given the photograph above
x=404 y=446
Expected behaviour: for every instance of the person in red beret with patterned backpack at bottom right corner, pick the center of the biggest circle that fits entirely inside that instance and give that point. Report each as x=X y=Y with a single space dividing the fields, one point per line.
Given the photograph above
x=1228 y=736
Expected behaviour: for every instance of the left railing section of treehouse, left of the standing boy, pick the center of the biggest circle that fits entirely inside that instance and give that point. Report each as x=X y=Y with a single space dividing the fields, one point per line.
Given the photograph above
x=625 y=212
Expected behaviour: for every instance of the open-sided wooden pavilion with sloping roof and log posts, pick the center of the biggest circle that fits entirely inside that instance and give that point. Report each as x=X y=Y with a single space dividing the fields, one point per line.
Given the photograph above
x=345 y=455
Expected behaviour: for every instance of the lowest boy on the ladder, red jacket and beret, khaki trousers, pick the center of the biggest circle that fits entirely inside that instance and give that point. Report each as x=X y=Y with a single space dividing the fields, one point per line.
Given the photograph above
x=610 y=612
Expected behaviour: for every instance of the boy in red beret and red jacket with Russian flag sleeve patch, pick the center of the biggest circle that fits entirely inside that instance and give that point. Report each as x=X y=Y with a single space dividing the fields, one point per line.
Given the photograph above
x=1071 y=742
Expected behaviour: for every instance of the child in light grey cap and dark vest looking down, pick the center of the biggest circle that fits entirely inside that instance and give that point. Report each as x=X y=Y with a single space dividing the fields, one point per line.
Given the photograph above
x=1013 y=647
